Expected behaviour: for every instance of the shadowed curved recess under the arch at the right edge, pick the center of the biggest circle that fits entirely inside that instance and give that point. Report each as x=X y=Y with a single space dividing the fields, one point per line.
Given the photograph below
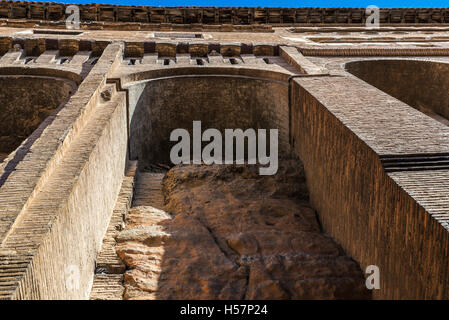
x=424 y=85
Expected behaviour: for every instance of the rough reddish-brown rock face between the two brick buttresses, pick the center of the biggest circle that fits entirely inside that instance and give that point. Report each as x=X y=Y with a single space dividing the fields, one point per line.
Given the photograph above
x=228 y=233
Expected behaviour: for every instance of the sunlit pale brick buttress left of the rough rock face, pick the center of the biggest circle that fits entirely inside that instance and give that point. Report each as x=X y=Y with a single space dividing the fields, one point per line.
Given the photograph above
x=64 y=192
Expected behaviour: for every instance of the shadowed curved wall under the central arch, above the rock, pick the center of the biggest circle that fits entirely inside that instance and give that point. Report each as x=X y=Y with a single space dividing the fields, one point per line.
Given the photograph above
x=159 y=106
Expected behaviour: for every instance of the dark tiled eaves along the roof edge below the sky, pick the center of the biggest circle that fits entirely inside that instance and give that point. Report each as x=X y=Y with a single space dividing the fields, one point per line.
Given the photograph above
x=212 y=15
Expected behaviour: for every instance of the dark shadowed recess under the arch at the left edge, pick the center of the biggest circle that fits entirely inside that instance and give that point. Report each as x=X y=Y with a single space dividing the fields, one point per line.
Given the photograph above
x=28 y=105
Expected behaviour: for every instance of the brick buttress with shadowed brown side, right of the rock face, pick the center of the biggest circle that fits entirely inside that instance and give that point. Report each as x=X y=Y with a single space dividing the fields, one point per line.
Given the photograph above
x=384 y=219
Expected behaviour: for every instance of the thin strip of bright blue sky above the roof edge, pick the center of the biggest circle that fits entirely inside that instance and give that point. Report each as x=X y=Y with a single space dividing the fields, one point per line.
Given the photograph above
x=273 y=3
